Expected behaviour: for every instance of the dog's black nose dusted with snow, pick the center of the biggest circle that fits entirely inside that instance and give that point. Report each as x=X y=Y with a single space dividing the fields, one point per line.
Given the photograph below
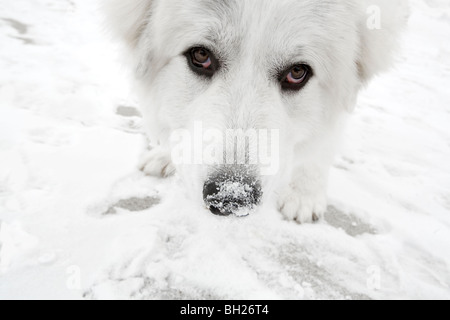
x=227 y=194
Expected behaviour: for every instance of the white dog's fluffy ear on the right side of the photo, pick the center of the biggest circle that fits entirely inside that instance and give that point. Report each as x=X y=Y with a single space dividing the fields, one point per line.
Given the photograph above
x=383 y=22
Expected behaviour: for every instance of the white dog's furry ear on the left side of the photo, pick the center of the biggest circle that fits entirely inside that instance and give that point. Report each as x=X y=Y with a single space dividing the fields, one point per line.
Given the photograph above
x=127 y=19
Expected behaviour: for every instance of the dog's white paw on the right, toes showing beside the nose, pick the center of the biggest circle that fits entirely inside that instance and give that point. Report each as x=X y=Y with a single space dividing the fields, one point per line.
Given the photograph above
x=302 y=208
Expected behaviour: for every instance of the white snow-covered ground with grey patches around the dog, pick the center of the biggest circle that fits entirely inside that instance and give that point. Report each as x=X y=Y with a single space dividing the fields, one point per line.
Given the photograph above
x=78 y=220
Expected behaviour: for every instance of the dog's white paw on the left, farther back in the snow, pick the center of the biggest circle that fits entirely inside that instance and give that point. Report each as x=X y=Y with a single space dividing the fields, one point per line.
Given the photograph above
x=157 y=162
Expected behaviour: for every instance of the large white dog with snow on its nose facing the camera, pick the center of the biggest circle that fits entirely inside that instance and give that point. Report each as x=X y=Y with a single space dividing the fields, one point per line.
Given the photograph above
x=285 y=69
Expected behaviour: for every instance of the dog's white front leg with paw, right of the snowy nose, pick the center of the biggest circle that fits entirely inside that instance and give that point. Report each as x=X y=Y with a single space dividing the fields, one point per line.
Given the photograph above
x=304 y=200
